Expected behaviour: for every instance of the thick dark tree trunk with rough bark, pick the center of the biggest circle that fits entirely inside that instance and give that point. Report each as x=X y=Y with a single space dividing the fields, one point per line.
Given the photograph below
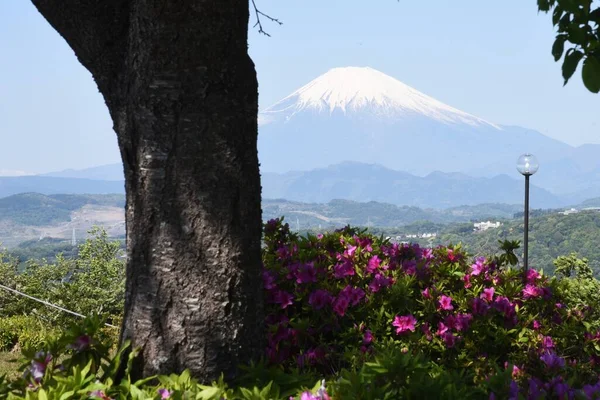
x=182 y=92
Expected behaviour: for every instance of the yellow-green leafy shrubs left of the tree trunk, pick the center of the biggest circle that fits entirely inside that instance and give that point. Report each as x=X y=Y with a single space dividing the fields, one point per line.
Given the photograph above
x=91 y=283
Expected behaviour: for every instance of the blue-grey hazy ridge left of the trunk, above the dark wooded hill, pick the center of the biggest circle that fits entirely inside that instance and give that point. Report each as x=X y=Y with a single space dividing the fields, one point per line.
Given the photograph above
x=53 y=185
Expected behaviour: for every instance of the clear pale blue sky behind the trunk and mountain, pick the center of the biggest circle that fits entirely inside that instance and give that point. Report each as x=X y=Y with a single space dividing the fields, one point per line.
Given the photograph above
x=491 y=59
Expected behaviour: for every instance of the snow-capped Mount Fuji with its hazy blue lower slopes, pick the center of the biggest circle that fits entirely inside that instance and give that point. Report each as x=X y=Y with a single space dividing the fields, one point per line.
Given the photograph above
x=362 y=115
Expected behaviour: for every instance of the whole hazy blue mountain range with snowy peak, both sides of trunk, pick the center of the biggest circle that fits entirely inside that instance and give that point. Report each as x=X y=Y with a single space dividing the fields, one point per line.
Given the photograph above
x=358 y=134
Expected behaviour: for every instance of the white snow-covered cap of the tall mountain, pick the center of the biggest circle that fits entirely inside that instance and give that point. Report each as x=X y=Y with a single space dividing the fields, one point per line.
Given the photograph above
x=356 y=89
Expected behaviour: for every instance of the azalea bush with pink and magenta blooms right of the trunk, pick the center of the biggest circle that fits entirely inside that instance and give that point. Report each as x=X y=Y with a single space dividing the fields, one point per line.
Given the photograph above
x=332 y=297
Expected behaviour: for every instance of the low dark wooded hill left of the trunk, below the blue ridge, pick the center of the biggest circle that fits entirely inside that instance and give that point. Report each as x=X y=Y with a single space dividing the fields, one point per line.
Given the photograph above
x=36 y=209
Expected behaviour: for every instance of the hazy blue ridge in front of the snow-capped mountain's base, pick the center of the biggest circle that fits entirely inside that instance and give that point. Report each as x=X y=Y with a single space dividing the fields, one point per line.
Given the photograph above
x=372 y=182
